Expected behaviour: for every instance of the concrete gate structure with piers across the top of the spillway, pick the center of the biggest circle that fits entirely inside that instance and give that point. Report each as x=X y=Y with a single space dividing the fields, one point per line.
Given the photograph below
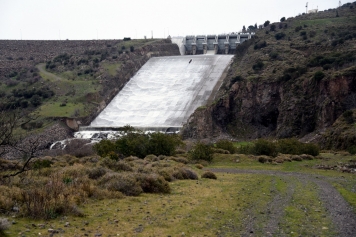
x=211 y=44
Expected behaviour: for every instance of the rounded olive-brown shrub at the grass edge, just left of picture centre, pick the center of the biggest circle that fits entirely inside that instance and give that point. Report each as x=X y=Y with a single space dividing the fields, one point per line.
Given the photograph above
x=153 y=183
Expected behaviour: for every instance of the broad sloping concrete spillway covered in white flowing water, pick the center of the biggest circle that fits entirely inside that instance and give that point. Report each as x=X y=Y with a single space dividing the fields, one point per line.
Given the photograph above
x=164 y=92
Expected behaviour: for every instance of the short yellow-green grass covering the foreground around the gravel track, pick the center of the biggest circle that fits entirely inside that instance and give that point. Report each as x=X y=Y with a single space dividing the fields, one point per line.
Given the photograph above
x=232 y=205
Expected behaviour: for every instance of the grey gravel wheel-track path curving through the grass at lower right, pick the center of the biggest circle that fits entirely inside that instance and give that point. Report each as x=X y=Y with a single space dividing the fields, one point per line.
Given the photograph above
x=340 y=212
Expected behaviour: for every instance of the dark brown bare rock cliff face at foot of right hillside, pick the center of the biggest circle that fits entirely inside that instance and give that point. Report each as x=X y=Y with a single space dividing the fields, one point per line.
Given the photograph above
x=253 y=110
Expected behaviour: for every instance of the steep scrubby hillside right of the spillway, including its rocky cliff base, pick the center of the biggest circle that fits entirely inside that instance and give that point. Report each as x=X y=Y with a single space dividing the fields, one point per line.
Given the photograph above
x=292 y=79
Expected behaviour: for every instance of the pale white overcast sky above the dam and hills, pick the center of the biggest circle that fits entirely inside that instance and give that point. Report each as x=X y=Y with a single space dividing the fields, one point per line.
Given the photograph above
x=115 y=19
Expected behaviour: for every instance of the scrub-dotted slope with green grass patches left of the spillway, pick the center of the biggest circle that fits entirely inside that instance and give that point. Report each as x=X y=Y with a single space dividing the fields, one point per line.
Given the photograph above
x=69 y=79
